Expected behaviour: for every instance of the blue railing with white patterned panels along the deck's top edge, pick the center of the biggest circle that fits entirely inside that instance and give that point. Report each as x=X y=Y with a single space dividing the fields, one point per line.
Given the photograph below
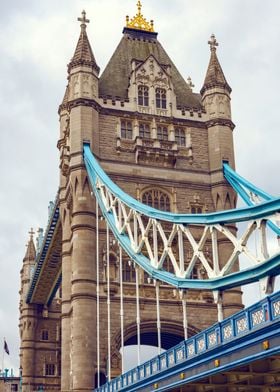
x=256 y=316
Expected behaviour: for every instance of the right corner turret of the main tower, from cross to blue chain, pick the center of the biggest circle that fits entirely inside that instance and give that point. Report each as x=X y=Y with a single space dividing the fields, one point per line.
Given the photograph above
x=216 y=100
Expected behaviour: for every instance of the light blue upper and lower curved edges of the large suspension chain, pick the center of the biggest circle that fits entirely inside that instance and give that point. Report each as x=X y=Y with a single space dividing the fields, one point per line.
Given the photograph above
x=270 y=267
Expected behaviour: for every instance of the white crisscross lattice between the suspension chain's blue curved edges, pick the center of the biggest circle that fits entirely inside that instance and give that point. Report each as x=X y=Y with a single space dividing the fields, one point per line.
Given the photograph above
x=193 y=250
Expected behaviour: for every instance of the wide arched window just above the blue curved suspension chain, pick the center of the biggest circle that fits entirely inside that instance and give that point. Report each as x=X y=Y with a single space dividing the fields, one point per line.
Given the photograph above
x=151 y=197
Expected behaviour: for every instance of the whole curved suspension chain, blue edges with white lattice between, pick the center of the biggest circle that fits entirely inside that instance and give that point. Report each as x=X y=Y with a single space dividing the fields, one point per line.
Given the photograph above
x=156 y=239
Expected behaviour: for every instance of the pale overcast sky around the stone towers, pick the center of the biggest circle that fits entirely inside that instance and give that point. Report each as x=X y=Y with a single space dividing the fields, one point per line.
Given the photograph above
x=37 y=40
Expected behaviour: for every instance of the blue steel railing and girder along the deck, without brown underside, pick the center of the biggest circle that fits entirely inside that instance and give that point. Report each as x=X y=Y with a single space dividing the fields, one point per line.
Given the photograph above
x=245 y=328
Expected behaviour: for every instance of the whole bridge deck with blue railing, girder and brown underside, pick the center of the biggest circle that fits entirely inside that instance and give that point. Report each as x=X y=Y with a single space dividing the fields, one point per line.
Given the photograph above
x=234 y=352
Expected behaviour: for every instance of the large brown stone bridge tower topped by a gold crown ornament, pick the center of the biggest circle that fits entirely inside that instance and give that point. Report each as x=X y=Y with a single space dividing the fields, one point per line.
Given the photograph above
x=164 y=145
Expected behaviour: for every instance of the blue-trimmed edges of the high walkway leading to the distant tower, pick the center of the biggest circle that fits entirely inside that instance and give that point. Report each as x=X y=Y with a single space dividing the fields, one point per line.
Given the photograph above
x=40 y=258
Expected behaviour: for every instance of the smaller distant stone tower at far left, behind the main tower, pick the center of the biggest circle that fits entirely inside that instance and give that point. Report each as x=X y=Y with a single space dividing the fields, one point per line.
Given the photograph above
x=39 y=333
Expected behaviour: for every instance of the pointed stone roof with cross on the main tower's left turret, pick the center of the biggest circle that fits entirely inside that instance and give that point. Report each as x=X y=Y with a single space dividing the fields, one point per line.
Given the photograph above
x=83 y=53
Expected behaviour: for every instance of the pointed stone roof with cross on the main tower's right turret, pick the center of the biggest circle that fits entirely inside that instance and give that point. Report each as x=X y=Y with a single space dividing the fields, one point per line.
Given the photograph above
x=214 y=75
